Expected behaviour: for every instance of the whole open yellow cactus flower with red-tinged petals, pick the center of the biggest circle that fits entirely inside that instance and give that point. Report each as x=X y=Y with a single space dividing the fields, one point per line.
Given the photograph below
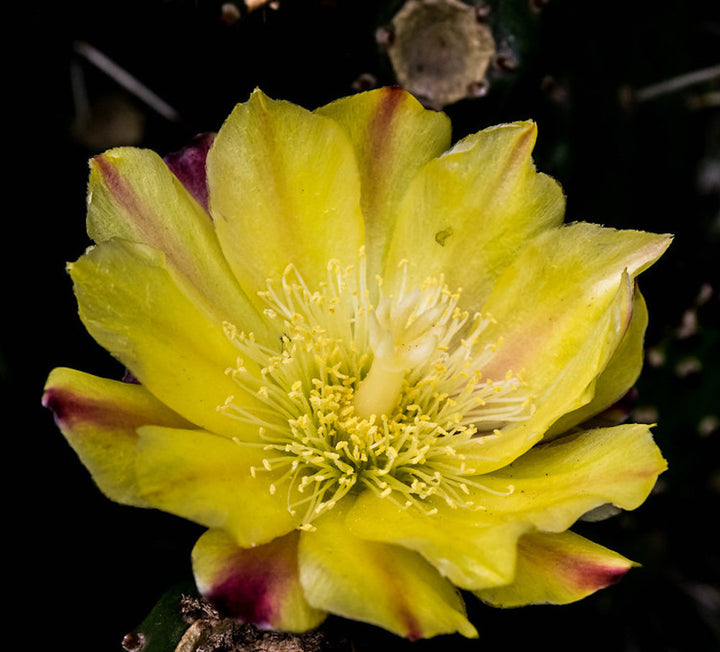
x=364 y=359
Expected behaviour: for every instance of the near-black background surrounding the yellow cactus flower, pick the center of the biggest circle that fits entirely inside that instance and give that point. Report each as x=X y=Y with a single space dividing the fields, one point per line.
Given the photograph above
x=89 y=570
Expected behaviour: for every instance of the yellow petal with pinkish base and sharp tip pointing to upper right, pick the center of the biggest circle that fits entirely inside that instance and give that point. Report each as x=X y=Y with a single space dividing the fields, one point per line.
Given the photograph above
x=555 y=291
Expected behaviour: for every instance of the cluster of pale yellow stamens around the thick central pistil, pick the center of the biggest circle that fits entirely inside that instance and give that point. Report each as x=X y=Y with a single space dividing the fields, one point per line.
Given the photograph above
x=387 y=396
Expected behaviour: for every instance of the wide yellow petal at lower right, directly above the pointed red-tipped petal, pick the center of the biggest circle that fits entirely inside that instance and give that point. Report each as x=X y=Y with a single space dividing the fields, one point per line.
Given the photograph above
x=554 y=484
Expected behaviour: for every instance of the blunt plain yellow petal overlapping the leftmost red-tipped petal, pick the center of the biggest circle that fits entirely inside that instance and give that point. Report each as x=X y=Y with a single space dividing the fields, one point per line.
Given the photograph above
x=211 y=480
